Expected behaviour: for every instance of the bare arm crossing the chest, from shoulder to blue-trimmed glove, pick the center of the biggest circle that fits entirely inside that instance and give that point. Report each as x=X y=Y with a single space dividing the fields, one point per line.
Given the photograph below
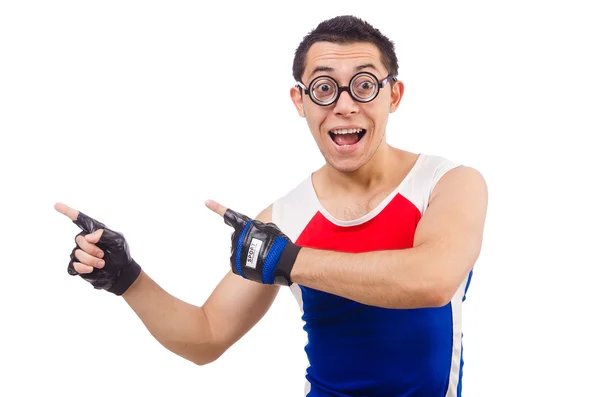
x=447 y=243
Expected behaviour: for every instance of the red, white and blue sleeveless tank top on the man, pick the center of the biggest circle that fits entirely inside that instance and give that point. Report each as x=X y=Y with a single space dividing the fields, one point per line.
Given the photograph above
x=355 y=349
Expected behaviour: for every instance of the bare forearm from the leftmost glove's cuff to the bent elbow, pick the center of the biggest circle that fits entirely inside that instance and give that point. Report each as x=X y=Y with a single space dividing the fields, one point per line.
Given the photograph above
x=181 y=327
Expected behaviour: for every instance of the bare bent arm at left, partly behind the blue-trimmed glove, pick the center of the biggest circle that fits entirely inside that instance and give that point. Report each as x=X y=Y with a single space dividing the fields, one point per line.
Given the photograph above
x=202 y=334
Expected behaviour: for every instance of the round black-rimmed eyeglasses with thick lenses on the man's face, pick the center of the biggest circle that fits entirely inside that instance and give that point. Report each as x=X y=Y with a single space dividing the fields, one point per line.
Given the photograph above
x=363 y=87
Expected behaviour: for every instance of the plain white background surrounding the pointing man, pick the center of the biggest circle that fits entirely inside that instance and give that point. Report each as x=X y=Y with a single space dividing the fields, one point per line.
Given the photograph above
x=137 y=112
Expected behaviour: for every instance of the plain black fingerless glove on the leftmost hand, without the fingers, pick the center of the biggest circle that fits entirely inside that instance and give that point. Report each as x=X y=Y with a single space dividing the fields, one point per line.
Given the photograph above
x=119 y=271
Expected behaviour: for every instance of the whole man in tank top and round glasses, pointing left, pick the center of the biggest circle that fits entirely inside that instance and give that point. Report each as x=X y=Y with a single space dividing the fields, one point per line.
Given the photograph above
x=378 y=245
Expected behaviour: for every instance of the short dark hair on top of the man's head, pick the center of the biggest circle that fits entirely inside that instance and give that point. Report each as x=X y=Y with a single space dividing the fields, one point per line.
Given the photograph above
x=346 y=29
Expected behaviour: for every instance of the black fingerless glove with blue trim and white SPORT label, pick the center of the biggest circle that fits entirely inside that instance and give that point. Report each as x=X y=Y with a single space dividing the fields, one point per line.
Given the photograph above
x=260 y=251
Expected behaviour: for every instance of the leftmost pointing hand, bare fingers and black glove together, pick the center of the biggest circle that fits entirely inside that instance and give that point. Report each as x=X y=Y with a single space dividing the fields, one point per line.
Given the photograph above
x=101 y=256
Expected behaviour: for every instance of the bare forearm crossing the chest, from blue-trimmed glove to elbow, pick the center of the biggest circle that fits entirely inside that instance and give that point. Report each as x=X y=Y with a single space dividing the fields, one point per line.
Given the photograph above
x=390 y=279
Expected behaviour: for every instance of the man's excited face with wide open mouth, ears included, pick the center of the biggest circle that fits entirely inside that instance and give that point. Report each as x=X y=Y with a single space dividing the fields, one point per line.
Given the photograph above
x=347 y=132
